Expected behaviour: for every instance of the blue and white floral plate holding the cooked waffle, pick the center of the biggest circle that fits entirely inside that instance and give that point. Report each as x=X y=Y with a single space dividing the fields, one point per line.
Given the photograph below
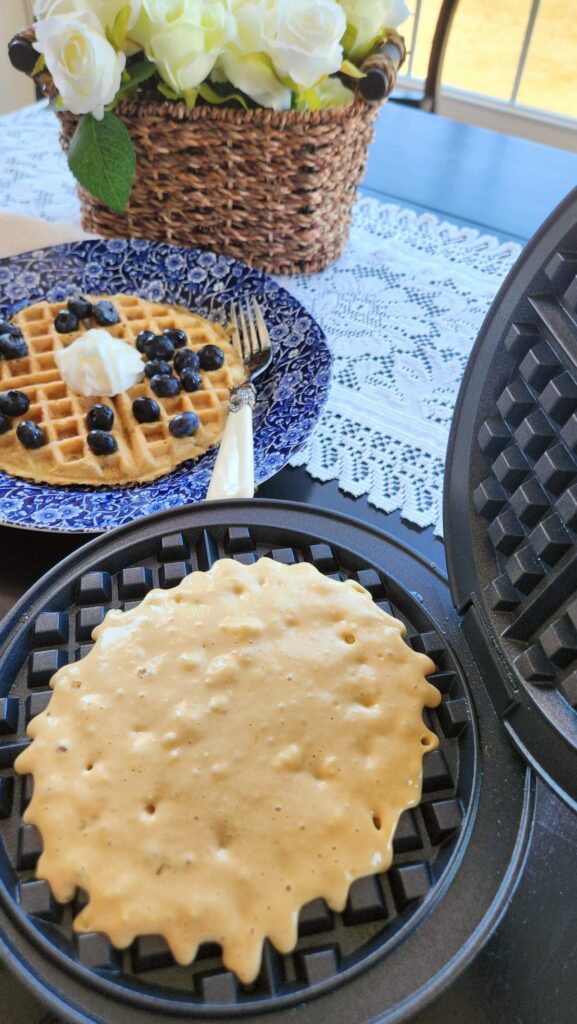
x=291 y=397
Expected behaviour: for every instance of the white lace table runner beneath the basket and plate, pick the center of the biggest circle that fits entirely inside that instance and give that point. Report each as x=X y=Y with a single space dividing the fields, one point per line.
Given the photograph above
x=401 y=311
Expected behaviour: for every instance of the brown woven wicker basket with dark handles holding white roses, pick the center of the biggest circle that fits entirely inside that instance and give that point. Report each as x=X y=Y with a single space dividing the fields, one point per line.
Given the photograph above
x=273 y=189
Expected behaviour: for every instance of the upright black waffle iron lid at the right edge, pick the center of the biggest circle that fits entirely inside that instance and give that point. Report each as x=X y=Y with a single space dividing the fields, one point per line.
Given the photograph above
x=511 y=501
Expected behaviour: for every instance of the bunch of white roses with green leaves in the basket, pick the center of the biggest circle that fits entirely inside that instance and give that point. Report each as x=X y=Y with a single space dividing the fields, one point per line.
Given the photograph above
x=281 y=55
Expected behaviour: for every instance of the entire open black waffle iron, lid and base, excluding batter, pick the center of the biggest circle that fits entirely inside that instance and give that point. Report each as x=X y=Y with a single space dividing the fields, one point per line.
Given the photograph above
x=503 y=635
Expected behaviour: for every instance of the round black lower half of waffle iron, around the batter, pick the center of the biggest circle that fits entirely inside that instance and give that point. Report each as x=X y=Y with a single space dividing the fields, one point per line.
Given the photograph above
x=405 y=934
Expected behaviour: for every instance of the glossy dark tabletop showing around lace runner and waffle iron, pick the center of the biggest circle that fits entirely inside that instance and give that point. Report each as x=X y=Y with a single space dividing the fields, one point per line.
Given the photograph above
x=527 y=974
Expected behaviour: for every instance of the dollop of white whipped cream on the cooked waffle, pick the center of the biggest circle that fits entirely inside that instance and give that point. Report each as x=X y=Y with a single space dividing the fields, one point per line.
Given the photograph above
x=97 y=364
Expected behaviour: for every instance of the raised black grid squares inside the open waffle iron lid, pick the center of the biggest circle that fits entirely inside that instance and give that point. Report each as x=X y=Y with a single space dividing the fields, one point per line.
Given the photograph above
x=528 y=497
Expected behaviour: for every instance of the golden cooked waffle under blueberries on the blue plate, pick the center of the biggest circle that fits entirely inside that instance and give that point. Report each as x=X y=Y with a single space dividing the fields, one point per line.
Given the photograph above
x=146 y=451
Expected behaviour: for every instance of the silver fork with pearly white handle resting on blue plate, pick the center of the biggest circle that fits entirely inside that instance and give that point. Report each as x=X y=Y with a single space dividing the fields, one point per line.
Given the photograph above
x=233 y=476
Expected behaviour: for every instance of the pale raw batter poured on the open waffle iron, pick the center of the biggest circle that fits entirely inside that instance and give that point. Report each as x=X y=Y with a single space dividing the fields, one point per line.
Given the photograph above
x=229 y=751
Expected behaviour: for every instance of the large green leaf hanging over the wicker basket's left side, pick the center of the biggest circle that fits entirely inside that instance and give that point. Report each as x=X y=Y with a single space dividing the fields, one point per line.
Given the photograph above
x=102 y=158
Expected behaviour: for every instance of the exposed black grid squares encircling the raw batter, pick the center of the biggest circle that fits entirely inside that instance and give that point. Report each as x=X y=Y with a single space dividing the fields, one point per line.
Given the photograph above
x=329 y=944
